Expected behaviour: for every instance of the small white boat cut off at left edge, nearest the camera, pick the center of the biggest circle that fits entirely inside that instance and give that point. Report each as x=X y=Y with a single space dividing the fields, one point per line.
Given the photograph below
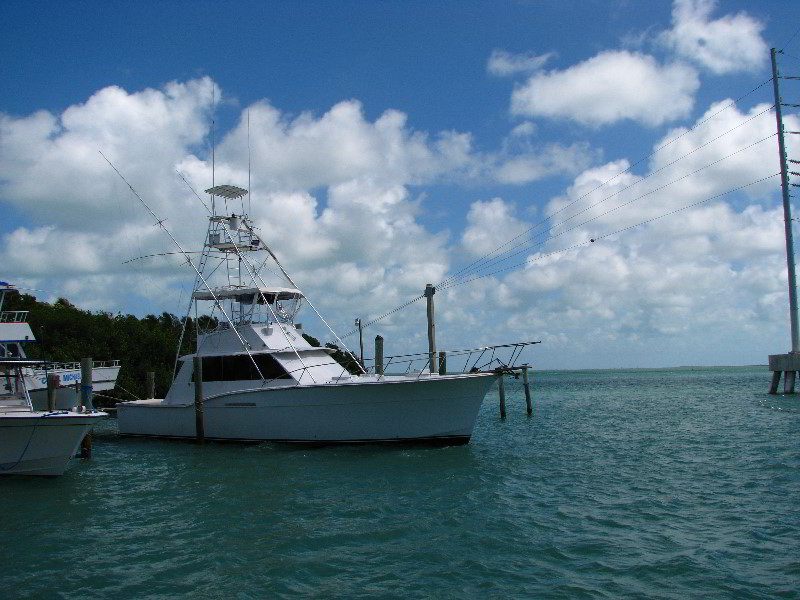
x=36 y=442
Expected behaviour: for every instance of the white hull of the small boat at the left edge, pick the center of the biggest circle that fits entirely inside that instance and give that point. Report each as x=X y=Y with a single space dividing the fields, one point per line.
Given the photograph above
x=41 y=443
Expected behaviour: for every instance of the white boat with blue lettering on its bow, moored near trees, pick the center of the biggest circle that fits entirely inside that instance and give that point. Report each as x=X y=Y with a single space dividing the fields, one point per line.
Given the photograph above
x=15 y=332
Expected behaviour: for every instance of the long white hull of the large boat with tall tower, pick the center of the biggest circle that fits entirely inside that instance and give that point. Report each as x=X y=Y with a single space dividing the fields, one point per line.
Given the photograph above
x=431 y=409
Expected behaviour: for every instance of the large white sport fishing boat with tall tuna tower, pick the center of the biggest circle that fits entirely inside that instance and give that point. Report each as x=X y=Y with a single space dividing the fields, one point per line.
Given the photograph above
x=261 y=379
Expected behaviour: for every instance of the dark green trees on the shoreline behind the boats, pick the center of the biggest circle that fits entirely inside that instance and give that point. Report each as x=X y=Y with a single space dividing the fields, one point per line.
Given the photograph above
x=66 y=333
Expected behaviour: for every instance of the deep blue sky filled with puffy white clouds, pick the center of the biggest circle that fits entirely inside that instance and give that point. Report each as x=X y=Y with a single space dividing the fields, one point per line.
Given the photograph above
x=396 y=142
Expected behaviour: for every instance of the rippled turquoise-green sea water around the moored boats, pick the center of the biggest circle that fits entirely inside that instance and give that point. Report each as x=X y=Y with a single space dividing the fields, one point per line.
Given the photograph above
x=669 y=484
